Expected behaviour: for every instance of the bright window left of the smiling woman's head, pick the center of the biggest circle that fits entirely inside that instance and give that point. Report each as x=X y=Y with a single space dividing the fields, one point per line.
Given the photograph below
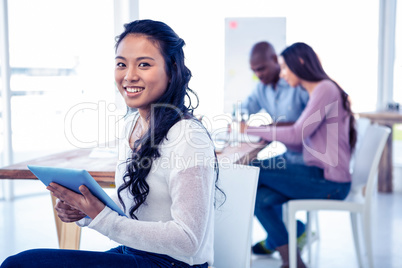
x=61 y=56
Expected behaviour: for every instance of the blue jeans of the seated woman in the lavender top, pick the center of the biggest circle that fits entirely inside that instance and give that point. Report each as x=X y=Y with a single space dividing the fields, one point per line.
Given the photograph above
x=281 y=181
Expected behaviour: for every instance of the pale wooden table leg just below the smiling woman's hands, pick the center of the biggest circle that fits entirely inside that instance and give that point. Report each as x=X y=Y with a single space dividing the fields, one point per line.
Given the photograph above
x=68 y=234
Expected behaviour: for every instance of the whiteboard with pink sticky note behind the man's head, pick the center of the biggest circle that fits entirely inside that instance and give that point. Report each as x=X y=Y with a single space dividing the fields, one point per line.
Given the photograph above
x=240 y=35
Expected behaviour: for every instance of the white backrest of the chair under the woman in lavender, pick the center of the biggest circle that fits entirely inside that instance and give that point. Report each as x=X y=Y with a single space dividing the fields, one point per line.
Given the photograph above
x=367 y=158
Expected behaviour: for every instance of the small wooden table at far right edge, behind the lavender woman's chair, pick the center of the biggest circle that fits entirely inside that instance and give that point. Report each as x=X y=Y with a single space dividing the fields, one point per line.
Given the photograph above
x=387 y=118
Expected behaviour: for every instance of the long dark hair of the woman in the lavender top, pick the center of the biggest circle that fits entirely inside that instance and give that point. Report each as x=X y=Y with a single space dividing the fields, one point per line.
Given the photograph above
x=304 y=63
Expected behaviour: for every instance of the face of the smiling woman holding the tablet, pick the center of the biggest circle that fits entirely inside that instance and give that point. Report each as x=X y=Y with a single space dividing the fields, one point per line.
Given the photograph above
x=140 y=72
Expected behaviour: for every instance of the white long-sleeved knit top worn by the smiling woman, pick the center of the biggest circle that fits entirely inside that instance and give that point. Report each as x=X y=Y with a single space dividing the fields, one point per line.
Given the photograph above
x=177 y=217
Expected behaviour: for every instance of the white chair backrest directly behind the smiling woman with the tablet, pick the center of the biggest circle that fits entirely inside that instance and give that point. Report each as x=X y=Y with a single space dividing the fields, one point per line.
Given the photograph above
x=234 y=219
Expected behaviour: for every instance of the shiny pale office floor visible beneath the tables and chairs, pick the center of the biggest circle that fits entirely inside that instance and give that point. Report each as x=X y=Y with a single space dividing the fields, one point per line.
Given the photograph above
x=27 y=222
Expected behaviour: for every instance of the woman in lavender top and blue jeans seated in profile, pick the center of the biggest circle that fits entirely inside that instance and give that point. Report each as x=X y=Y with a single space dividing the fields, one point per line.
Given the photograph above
x=326 y=132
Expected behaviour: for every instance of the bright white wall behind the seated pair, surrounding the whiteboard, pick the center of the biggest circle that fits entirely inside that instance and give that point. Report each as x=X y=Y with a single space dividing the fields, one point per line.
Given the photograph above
x=344 y=33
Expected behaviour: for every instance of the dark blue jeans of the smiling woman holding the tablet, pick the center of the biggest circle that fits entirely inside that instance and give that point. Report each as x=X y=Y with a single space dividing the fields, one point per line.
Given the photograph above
x=120 y=257
